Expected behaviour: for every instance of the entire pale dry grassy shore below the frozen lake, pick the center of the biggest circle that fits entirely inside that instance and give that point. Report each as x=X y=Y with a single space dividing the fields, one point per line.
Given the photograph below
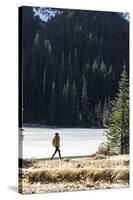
x=95 y=172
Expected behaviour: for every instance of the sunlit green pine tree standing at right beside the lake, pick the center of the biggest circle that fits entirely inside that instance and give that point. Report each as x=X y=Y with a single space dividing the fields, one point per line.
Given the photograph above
x=118 y=133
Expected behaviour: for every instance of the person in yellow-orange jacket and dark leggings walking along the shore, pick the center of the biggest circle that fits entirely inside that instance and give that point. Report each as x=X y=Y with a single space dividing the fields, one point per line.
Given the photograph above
x=56 y=144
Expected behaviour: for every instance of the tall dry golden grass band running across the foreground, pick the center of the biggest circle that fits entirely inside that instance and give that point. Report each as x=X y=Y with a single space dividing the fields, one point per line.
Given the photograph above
x=74 y=174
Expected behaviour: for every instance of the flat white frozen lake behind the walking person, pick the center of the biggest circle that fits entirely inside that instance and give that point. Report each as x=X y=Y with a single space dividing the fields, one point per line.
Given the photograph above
x=37 y=142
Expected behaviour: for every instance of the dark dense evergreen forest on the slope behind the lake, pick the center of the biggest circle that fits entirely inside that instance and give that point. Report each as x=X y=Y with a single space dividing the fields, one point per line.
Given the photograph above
x=71 y=65
